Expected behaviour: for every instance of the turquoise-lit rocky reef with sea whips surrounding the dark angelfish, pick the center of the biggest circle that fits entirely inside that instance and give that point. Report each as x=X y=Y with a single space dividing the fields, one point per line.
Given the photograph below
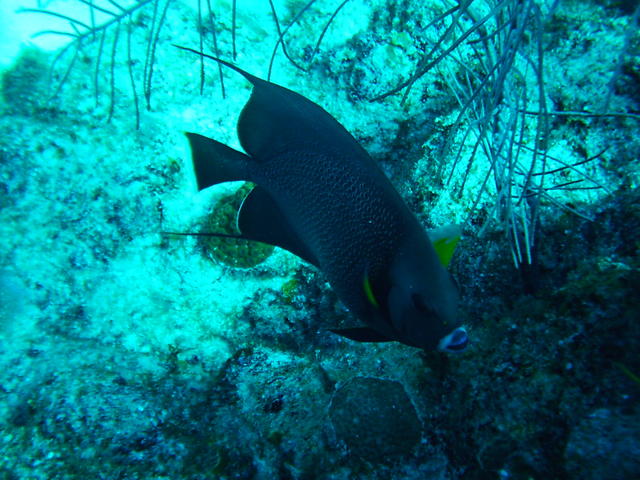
x=126 y=353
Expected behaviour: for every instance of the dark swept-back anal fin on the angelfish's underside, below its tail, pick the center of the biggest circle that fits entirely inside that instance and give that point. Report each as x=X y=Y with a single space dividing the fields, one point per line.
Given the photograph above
x=260 y=219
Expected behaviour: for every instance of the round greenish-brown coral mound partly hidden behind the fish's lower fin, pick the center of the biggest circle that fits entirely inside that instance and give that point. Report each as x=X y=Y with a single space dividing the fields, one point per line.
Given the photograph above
x=235 y=253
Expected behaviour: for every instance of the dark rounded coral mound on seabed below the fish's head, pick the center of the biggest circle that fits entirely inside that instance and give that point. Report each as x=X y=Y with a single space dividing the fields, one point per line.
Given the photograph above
x=375 y=418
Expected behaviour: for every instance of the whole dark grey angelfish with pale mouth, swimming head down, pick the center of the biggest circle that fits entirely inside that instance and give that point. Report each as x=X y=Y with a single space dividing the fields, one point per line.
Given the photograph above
x=322 y=197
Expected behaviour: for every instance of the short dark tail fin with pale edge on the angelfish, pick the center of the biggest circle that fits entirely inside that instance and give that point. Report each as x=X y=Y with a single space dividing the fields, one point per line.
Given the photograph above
x=214 y=162
